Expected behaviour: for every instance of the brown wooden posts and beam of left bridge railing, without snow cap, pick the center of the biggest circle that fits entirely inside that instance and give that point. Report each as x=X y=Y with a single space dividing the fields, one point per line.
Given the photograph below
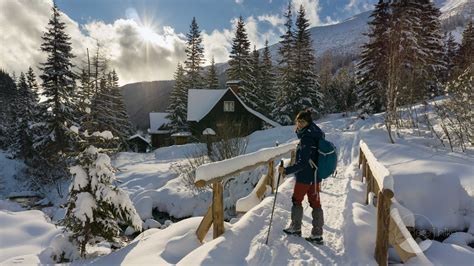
x=215 y=213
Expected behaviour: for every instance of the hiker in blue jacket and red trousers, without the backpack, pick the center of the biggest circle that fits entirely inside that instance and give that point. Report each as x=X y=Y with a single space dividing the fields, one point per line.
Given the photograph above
x=309 y=134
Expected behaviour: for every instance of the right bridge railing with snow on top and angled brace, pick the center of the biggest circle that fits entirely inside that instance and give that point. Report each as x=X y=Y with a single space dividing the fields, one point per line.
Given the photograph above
x=392 y=218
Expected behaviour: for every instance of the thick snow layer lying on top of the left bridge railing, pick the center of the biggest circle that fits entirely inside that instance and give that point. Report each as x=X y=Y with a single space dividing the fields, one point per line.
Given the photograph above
x=216 y=169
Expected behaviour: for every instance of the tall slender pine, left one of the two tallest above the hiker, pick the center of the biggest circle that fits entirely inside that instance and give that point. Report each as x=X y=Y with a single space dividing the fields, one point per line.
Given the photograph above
x=284 y=83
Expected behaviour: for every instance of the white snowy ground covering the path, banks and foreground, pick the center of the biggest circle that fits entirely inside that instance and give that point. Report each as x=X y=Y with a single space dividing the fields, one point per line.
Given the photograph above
x=429 y=180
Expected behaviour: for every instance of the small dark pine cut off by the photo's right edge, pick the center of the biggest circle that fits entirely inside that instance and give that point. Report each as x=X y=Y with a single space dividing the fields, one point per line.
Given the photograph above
x=465 y=57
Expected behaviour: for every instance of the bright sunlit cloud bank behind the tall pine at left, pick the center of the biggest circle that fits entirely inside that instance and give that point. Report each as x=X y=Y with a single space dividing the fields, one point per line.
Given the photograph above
x=136 y=52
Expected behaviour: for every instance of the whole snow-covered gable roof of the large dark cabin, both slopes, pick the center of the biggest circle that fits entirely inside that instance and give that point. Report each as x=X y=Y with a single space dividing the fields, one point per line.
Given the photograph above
x=201 y=102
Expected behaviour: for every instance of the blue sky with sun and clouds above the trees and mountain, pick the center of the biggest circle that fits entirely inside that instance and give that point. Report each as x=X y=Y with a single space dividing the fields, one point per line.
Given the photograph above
x=144 y=40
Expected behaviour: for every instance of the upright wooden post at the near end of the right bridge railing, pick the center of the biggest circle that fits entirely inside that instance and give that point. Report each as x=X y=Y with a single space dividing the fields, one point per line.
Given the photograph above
x=384 y=200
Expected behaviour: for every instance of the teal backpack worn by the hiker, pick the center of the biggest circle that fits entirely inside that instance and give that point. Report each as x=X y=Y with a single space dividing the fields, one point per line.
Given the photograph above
x=327 y=159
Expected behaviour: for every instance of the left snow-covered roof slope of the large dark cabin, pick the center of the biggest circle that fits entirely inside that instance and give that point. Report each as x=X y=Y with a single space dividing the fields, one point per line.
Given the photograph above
x=201 y=101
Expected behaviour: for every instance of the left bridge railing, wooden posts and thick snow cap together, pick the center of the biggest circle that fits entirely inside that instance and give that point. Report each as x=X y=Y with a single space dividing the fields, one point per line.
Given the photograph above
x=214 y=173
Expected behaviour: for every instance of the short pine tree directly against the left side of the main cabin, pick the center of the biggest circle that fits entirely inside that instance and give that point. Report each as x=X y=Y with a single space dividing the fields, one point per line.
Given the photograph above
x=177 y=108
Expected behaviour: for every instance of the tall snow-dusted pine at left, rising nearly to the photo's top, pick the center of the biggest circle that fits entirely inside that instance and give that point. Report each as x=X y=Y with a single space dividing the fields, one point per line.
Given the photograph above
x=53 y=142
